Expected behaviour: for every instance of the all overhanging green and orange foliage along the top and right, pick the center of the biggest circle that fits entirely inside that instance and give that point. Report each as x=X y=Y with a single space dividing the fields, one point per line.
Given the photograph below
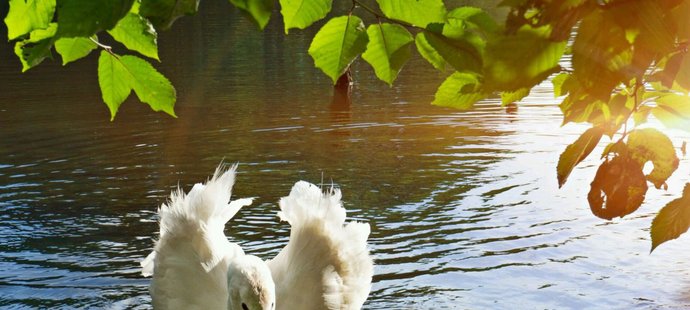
x=629 y=60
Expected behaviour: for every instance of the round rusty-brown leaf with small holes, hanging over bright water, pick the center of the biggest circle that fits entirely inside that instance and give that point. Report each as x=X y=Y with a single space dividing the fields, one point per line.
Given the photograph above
x=618 y=189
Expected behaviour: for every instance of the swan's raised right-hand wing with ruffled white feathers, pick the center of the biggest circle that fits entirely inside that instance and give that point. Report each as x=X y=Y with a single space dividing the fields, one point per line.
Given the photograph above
x=326 y=264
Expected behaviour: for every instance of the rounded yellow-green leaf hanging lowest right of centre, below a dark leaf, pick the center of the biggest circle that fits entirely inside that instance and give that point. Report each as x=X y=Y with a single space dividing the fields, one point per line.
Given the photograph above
x=460 y=91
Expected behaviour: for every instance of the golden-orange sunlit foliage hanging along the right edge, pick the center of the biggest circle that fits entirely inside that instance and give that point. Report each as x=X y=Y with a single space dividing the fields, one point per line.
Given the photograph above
x=628 y=62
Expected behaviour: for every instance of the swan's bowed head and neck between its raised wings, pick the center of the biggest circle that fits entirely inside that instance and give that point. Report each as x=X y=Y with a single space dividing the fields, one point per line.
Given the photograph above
x=250 y=285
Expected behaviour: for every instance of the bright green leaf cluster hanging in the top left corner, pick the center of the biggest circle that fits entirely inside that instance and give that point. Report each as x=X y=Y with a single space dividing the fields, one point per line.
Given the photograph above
x=73 y=29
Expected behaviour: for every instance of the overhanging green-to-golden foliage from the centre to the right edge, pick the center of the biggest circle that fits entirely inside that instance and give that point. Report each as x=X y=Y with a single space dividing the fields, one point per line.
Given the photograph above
x=629 y=60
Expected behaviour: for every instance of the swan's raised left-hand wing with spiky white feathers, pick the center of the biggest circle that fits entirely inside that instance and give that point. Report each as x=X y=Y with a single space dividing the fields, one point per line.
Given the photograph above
x=189 y=261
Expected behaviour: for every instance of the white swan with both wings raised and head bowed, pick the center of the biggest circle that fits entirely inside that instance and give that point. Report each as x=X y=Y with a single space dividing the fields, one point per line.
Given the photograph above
x=325 y=265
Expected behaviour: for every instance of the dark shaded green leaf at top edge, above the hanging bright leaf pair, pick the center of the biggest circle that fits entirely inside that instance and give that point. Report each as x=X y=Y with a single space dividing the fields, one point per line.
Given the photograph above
x=77 y=18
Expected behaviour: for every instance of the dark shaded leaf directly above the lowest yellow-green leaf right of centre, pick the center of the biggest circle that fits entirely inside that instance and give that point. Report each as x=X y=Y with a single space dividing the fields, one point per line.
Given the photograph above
x=463 y=55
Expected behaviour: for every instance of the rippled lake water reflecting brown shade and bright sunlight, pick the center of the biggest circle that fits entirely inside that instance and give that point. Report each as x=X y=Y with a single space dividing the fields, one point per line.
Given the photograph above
x=464 y=206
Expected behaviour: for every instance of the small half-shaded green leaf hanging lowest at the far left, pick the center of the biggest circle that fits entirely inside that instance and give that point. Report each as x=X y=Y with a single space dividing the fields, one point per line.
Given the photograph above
x=36 y=48
